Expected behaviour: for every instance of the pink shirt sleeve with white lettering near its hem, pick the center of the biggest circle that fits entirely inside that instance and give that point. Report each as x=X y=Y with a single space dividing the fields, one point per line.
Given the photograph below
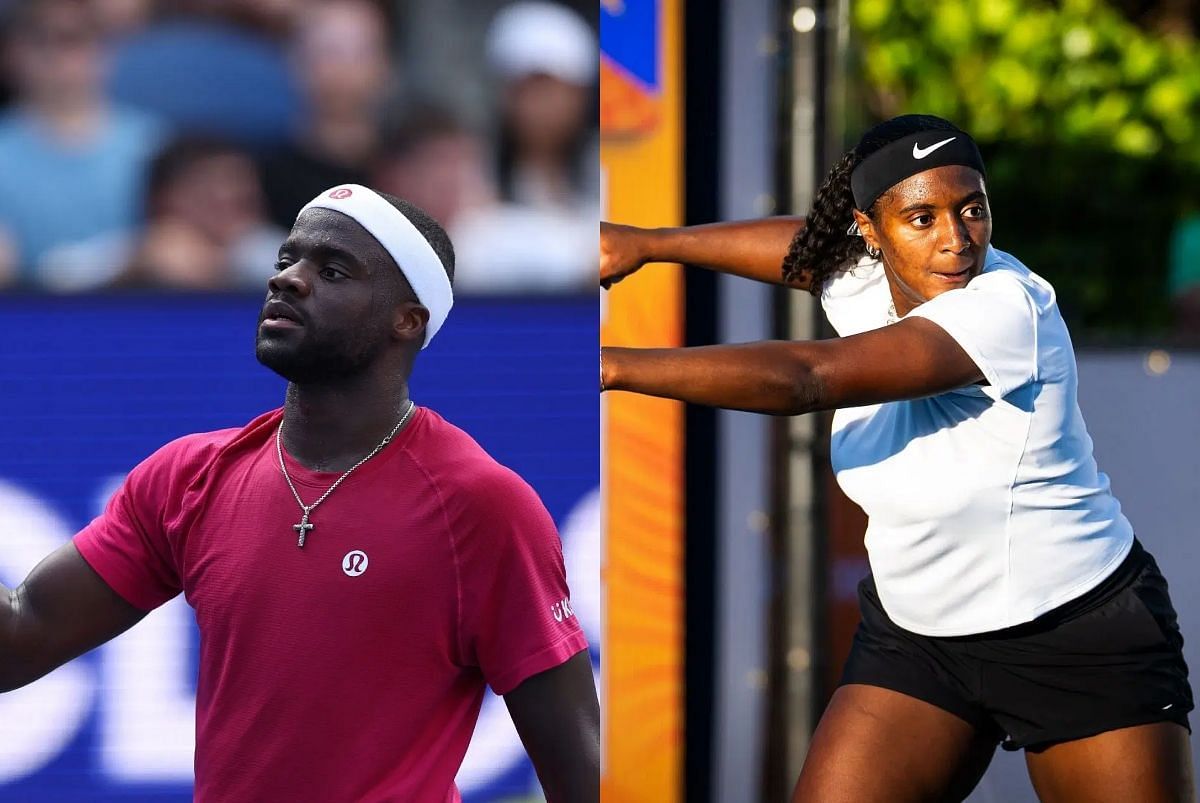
x=515 y=614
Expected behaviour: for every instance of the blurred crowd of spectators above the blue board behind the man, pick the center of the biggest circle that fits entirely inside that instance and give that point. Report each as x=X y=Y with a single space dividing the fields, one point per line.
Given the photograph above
x=171 y=143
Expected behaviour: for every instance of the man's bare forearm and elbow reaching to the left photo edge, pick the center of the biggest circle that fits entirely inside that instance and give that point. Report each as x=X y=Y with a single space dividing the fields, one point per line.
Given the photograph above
x=63 y=610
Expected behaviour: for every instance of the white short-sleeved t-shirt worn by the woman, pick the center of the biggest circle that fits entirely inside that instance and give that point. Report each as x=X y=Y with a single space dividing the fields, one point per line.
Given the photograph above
x=986 y=507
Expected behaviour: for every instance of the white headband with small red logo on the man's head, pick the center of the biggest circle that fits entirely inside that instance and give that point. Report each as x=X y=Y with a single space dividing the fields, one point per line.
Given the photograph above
x=413 y=254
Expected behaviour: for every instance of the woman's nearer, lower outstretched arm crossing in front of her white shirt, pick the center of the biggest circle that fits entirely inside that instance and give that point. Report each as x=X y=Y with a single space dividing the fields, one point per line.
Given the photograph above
x=911 y=359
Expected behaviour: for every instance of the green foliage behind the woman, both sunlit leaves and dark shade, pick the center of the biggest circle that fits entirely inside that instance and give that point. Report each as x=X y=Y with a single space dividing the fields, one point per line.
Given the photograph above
x=1091 y=128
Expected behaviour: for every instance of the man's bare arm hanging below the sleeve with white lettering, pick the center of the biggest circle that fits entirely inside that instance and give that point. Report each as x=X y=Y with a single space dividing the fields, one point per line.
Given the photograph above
x=559 y=718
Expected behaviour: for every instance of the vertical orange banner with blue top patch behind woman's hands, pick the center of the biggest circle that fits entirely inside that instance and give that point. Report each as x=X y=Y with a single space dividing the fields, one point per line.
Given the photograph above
x=643 y=157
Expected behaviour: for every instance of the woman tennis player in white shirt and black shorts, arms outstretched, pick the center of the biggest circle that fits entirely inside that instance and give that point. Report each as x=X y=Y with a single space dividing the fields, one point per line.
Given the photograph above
x=1010 y=602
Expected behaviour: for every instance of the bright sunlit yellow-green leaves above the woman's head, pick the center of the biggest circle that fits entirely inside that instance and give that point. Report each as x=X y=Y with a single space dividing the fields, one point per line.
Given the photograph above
x=1072 y=74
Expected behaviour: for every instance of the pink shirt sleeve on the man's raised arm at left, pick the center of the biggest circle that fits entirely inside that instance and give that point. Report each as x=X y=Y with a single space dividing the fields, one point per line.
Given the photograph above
x=128 y=546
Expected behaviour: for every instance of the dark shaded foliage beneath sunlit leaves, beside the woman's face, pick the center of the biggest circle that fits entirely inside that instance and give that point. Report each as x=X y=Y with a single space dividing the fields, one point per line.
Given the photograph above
x=1094 y=224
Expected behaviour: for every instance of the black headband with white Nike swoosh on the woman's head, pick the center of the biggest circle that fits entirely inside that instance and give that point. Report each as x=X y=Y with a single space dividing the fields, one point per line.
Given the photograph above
x=908 y=157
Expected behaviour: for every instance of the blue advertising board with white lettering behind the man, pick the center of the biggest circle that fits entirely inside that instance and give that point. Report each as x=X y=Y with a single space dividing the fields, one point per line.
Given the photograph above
x=92 y=386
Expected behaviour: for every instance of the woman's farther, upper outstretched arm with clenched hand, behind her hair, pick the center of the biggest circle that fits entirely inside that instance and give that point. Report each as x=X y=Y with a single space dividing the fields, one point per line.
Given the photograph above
x=749 y=249
